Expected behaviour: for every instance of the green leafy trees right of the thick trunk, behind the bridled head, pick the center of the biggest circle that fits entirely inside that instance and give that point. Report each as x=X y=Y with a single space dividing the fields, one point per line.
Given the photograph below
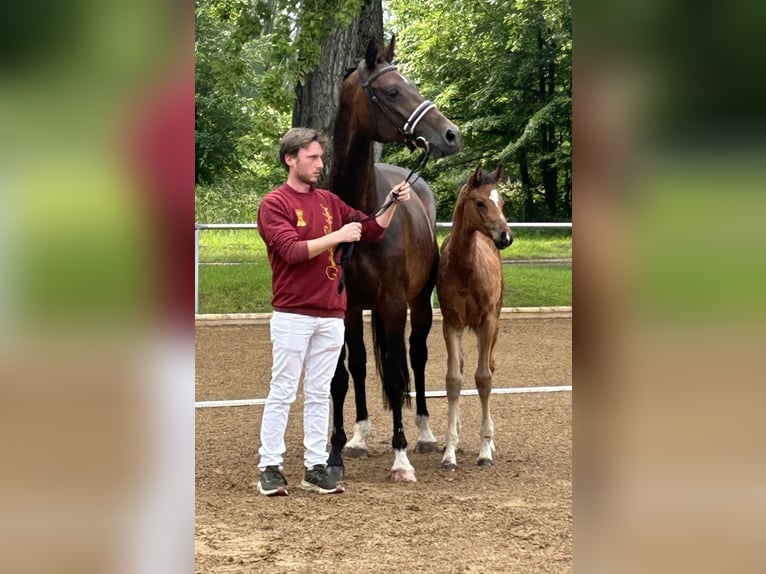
x=502 y=71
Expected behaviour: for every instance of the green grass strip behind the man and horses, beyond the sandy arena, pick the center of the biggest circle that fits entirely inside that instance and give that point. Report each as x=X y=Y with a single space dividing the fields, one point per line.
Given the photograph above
x=247 y=288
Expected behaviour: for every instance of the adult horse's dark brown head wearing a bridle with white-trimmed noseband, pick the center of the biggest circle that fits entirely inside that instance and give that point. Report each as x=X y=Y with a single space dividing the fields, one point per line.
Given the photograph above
x=390 y=108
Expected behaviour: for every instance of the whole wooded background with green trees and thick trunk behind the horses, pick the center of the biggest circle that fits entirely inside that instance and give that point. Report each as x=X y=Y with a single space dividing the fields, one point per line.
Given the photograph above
x=500 y=69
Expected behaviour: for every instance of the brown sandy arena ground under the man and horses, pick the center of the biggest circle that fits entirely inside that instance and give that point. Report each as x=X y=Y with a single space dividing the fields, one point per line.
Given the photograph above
x=515 y=516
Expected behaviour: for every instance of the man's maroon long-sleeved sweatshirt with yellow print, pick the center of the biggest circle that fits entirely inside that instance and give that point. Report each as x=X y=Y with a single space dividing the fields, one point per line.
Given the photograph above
x=287 y=219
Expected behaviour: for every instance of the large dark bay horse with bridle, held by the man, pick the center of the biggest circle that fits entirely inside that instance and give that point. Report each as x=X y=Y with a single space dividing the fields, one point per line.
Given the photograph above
x=378 y=104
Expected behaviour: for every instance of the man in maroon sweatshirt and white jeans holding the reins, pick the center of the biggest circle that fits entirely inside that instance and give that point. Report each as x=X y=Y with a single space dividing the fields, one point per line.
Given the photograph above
x=301 y=226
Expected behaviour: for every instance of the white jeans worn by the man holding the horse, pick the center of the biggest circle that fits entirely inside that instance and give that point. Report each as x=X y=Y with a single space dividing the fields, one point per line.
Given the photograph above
x=298 y=341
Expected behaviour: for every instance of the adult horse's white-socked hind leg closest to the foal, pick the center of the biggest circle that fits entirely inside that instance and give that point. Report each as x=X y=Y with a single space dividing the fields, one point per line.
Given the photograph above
x=421 y=318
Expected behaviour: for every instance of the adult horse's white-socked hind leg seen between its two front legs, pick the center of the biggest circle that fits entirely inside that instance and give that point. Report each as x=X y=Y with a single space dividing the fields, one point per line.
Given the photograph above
x=357 y=365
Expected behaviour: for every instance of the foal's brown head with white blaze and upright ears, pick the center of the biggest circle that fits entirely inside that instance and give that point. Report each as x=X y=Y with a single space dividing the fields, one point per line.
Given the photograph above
x=481 y=207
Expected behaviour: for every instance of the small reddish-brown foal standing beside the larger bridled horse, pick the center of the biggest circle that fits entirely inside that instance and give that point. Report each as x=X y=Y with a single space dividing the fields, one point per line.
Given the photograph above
x=470 y=289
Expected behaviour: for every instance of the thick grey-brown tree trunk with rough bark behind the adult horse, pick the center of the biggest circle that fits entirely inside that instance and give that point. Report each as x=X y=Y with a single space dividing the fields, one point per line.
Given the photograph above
x=318 y=95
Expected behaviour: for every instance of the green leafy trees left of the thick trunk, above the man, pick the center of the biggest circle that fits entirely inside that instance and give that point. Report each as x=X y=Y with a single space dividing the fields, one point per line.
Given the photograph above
x=250 y=56
